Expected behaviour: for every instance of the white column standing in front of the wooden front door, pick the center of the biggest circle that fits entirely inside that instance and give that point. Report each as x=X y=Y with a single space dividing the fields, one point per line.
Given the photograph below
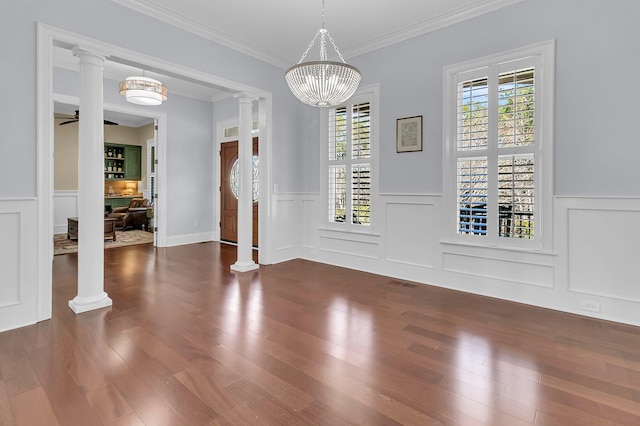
x=244 y=260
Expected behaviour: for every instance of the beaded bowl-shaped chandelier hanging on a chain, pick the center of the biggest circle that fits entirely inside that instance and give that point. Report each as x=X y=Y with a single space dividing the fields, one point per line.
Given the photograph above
x=323 y=83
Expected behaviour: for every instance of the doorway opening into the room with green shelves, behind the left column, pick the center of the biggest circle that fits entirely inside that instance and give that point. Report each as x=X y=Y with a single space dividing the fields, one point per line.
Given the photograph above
x=127 y=175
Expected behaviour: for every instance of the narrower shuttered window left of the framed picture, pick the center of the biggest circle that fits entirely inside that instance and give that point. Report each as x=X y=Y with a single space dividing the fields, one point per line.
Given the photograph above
x=350 y=163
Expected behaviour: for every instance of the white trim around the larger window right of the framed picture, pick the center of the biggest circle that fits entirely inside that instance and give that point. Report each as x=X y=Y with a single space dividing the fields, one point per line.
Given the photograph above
x=545 y=73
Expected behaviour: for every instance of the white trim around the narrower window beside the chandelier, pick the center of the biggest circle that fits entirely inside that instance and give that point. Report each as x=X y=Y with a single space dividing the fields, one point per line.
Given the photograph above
x=366 y=93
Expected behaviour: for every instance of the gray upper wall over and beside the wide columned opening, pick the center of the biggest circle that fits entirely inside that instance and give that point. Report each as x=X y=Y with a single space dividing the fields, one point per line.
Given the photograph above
x=98 y=19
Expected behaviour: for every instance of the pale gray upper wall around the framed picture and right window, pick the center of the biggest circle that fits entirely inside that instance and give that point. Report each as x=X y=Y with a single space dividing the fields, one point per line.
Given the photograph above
x=597 y=59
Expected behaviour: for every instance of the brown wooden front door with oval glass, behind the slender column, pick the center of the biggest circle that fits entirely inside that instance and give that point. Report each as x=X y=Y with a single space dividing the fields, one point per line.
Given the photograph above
x=228 y=199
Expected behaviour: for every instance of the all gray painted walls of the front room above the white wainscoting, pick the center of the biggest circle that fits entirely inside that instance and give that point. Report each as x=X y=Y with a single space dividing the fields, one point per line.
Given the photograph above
x=595 y=143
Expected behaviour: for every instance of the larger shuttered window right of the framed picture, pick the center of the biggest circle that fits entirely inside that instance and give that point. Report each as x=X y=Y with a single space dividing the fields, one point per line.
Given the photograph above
x=499 y=157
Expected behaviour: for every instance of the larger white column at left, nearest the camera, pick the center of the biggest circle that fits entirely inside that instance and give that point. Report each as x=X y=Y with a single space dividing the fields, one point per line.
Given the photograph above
x=91 y=294
